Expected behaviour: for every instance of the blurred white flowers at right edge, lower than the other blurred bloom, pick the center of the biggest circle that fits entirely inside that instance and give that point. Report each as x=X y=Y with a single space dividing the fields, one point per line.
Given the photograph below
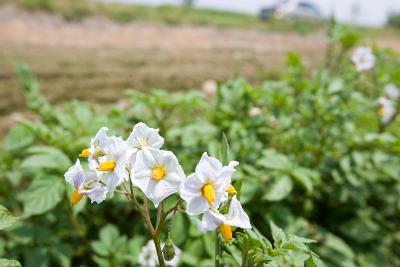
x=387 y=104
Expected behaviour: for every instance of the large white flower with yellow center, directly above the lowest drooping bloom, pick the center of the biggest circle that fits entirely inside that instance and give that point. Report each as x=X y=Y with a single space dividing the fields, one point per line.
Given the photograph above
x=205 y=188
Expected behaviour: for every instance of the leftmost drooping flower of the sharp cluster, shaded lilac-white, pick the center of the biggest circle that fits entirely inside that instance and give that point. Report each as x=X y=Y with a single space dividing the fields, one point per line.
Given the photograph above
x=85 y=183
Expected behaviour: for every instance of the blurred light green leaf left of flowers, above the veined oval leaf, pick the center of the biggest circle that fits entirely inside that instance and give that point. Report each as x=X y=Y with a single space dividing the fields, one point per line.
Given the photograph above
x=46 y=157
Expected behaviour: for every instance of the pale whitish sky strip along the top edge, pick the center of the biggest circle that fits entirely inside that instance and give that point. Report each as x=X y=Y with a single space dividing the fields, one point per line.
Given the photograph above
x=362 y=12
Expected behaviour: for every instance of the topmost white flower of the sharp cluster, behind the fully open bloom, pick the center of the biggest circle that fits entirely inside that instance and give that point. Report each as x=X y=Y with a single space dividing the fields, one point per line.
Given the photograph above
x=143 y=137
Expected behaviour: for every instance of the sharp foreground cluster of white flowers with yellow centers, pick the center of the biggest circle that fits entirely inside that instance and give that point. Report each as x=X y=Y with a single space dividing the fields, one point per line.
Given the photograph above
x=158 y=174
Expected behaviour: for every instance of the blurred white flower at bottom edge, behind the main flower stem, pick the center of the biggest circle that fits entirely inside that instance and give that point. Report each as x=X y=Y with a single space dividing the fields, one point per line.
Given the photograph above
x=148 y=256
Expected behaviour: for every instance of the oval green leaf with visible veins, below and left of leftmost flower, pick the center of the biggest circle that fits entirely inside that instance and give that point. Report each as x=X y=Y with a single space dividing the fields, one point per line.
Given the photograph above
x=42 y=195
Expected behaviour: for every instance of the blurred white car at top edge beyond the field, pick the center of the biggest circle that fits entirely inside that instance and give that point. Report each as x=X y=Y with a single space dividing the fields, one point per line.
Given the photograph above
x=291 y=9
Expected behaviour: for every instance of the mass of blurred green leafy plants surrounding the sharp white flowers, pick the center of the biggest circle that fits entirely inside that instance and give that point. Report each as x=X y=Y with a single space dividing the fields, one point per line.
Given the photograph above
x=314 y=158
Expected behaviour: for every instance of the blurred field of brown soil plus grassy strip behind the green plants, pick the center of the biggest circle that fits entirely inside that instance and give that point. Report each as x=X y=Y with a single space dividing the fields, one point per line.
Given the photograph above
x=94 y=51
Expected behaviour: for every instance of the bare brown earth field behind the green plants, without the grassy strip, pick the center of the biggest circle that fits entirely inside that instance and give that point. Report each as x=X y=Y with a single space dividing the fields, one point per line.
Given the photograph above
x=97 y=59
